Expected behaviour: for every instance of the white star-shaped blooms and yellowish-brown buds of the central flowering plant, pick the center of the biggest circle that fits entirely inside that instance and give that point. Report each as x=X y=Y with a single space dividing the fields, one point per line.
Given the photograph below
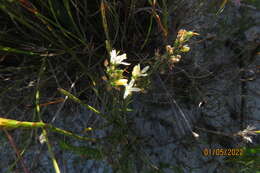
x=115 y=74
